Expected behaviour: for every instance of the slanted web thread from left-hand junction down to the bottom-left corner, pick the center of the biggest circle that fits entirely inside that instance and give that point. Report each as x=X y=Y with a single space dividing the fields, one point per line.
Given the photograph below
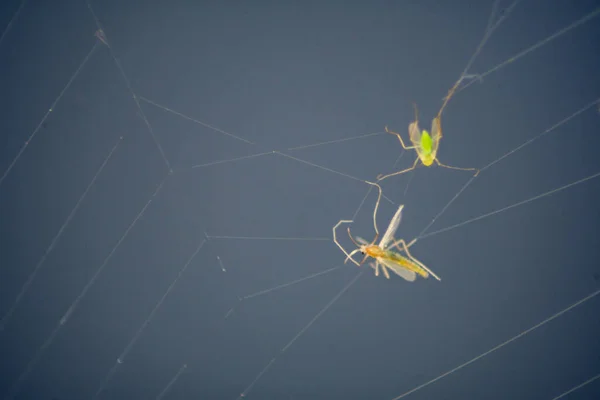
x=32 y=363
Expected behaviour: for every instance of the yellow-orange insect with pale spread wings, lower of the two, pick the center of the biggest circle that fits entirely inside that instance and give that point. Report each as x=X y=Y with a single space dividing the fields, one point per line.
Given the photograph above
x=406 y=267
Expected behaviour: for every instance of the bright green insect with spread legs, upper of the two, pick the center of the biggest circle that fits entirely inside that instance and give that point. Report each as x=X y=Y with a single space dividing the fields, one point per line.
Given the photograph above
x=425 y=145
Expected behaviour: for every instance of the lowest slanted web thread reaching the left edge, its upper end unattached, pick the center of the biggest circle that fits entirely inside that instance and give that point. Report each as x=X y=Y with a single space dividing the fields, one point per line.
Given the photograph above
x=5 y=319
